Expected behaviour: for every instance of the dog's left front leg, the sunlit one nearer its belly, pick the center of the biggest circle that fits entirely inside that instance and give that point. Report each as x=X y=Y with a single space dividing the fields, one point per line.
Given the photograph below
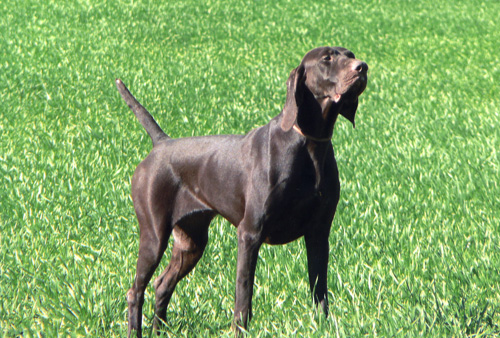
x=248 y=250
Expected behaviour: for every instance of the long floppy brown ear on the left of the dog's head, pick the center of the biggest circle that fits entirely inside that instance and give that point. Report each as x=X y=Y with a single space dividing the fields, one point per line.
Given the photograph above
x=294 y=97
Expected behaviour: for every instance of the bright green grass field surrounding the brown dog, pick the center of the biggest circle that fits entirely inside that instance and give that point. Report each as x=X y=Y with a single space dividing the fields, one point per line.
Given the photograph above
x=415 y=247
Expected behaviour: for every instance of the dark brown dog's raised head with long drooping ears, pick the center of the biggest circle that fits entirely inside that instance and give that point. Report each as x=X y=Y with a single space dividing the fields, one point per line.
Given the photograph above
x=333 y=77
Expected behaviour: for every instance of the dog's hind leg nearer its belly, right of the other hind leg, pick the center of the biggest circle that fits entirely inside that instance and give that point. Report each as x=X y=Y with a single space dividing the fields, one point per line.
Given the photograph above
x=190 y=239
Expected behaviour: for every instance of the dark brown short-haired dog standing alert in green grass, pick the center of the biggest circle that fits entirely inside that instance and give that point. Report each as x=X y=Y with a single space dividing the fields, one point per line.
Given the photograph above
x=277 y=183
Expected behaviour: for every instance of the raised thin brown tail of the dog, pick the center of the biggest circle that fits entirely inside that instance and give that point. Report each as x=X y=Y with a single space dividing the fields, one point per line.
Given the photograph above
x=147 y=121
